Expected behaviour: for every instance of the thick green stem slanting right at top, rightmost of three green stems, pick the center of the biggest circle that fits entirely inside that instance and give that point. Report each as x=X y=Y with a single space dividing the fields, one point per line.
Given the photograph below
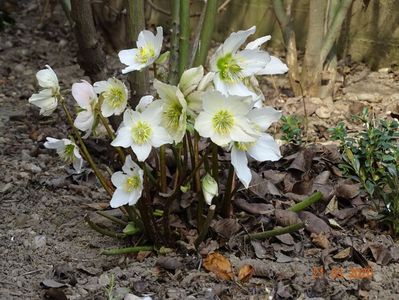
x=206 y=32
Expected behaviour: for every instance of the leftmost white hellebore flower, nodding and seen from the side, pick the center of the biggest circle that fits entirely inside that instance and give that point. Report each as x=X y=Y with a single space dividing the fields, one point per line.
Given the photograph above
x=46 y=99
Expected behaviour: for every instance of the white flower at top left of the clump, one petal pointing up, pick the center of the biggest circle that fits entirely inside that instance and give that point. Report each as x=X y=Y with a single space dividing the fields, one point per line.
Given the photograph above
x=147 y=51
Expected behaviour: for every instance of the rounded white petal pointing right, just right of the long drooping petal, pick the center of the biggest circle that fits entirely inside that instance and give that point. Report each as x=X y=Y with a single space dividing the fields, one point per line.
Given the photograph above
x=265 y=148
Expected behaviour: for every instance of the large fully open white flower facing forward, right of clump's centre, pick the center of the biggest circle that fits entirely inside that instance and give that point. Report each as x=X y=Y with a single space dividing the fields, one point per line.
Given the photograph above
x=224 y=120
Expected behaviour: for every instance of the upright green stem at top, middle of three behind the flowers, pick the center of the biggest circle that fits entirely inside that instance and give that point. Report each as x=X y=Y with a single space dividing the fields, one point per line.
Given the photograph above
x=184 y=45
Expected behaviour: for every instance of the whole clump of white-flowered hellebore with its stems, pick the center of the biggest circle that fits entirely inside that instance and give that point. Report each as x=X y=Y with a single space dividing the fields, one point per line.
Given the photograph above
x=172 y=142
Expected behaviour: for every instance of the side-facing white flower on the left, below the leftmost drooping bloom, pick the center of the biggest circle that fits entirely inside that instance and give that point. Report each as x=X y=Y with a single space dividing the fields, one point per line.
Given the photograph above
x=67 y=150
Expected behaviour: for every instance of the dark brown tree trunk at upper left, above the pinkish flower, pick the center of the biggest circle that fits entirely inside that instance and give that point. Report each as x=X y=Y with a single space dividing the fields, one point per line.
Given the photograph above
x=91 y=57
